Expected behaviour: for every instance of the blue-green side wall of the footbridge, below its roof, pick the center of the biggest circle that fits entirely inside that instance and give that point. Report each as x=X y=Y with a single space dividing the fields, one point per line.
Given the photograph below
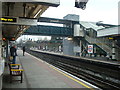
x=49 y=31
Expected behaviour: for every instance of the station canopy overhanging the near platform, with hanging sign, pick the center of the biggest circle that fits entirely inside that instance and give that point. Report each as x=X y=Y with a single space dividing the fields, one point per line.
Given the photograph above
x=18 y=15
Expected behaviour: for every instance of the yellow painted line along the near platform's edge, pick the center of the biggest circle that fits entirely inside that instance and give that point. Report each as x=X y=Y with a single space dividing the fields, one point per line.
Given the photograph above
x=72 y=78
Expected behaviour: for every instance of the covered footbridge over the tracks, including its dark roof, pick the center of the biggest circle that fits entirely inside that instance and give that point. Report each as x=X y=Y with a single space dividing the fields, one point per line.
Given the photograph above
x=65 y=30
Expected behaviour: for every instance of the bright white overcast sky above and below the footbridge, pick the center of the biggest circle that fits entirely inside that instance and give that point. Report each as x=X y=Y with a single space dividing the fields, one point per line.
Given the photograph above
x=96 y=10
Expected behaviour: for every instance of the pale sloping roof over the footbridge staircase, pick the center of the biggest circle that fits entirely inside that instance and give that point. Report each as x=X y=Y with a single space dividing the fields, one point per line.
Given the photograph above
x=91 y=25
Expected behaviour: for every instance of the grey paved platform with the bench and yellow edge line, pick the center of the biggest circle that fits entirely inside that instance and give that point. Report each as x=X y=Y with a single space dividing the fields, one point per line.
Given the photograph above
x=39 y=74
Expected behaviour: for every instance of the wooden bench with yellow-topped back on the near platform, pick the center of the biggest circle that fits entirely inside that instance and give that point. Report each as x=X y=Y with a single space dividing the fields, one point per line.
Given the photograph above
x=15 y=71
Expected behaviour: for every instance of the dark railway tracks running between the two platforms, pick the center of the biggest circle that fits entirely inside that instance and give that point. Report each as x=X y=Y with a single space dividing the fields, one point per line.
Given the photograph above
x=103 y=75
